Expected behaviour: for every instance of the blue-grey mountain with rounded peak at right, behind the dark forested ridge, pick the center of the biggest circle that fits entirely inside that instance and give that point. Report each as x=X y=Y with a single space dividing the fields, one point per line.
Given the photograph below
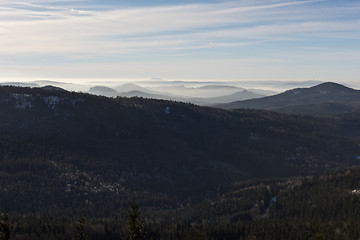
x=325 y=98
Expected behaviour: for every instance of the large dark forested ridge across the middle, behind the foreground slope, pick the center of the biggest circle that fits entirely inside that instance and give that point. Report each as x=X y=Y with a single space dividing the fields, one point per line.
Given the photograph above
x=63 y=151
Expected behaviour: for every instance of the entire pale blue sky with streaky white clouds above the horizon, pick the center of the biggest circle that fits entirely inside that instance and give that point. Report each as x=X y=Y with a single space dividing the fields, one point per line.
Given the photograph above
x=192 y=40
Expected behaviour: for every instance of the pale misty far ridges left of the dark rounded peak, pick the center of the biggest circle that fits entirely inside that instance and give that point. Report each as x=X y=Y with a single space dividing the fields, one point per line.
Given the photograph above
x=201 y=93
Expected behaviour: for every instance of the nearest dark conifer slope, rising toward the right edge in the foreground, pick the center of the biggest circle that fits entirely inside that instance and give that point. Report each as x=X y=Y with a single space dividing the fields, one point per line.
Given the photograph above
x=312 y=207
